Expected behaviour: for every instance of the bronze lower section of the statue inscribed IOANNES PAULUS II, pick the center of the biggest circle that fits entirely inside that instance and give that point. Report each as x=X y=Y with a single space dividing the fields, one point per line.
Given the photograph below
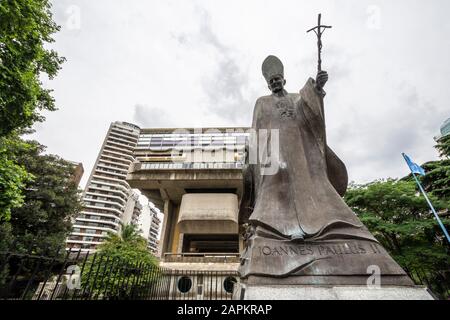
x=295 y=261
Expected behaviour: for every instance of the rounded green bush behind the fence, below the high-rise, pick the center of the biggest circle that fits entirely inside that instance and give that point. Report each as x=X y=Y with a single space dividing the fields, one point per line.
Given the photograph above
x=124 y=258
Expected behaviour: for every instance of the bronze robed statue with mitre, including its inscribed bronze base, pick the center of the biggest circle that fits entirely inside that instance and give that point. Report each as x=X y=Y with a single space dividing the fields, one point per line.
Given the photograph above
x=298 y=223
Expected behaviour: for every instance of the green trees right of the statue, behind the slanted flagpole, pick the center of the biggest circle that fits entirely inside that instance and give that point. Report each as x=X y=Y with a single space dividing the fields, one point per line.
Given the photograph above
x=399 y=217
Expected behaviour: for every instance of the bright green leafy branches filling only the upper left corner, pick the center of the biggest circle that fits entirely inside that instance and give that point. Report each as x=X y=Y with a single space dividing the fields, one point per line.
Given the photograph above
x=25 y=27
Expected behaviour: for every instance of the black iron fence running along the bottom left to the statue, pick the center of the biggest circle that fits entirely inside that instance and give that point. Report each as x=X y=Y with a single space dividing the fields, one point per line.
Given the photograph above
x=79 y=275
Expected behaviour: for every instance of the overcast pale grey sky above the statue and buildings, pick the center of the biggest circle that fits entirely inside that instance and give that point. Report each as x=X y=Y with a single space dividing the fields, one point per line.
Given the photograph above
x=198 y=63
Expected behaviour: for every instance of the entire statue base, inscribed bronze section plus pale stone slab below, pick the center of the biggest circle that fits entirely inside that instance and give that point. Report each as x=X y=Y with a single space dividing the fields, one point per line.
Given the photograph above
x=340 y=269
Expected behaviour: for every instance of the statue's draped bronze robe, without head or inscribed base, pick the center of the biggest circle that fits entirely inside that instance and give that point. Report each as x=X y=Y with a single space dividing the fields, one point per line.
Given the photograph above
x=303 y=198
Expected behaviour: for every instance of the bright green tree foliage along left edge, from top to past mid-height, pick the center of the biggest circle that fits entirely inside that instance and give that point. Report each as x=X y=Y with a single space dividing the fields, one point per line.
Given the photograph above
x=25 y=27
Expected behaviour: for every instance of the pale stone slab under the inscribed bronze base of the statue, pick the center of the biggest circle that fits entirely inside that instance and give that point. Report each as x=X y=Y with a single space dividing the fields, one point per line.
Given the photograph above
x=348 y=292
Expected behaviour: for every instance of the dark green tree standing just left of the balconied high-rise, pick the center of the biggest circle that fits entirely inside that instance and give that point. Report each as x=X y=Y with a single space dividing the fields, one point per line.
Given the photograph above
x=51 y=200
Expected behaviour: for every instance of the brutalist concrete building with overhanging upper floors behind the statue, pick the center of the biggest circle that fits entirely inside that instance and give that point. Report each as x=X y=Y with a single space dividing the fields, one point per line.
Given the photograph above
x=194 y=177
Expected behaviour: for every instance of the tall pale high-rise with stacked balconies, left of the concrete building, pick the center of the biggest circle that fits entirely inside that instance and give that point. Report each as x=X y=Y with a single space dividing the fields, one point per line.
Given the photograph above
x=108 y=198
